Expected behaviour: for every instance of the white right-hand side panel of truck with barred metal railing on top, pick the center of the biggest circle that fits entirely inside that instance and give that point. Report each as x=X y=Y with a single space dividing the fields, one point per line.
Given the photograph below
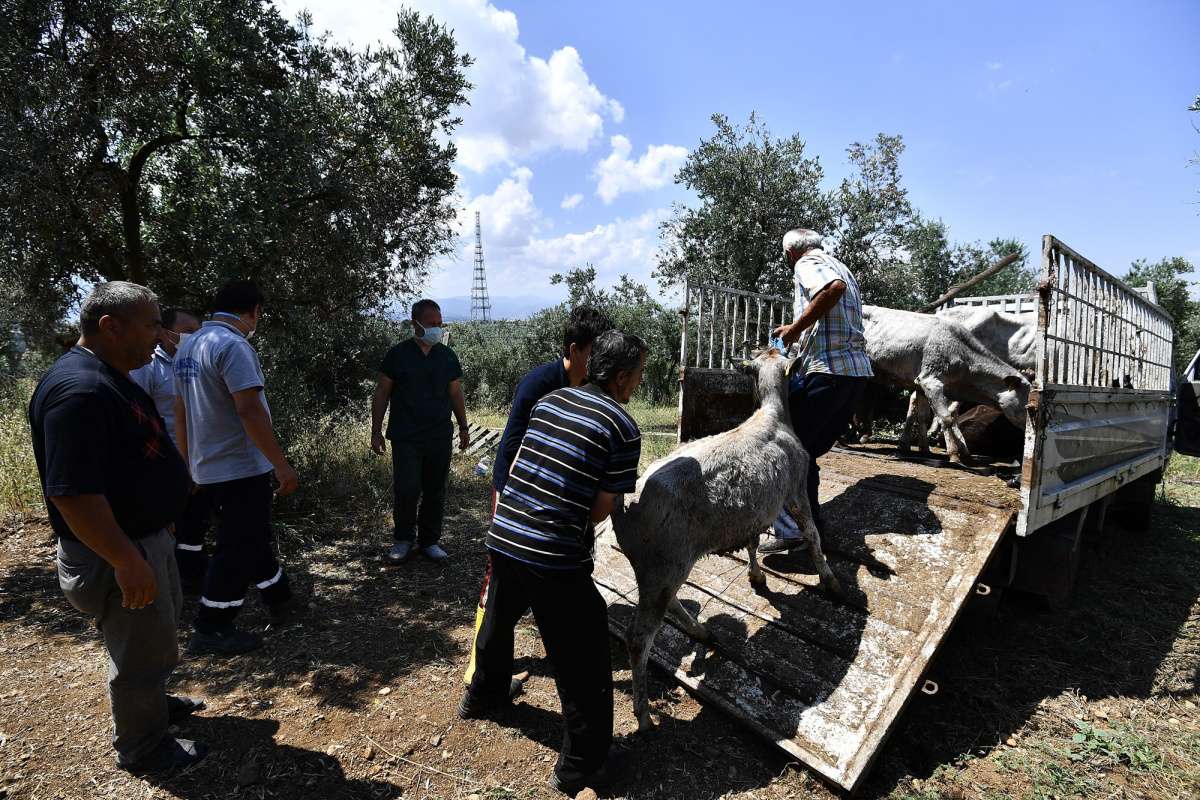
x=1100 y=411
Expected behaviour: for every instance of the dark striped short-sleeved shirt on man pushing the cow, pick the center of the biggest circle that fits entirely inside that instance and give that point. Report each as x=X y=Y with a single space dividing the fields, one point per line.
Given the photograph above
x=579 y=442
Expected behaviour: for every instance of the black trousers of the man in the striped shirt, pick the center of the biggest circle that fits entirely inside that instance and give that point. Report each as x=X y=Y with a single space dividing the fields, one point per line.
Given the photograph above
x=573 y=621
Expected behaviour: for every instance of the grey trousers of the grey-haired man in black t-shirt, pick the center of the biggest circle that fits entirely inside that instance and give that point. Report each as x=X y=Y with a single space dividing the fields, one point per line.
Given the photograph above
x=143 y=647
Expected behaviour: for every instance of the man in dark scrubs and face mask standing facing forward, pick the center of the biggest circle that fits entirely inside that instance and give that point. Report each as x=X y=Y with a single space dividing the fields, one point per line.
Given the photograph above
x=421 y=380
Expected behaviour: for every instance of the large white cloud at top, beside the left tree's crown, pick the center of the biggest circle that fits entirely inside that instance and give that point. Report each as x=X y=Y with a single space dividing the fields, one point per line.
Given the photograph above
x=521 y=105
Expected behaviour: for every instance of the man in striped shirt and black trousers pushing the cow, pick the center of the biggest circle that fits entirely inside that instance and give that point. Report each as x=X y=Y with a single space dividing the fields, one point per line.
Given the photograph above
x=578 y=456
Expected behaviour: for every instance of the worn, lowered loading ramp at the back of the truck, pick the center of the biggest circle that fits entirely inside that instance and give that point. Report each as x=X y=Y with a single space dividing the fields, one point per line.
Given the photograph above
x=826 y=679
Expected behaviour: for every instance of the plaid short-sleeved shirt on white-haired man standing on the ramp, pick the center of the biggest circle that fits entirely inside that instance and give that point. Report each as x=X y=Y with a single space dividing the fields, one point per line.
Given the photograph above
x=836 y=344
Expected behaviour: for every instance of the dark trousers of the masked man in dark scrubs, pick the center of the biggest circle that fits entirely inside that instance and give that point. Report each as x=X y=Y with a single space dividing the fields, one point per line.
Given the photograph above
x=421 y=472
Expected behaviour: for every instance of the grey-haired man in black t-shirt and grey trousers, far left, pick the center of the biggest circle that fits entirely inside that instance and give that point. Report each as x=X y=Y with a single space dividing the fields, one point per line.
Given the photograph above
x=113 y=484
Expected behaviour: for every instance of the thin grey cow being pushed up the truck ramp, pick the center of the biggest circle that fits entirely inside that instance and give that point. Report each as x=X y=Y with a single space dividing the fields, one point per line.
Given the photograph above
x=713 y=496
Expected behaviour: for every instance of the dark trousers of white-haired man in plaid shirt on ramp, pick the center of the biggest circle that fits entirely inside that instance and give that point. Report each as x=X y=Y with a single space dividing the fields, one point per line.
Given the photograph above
x=821 y=412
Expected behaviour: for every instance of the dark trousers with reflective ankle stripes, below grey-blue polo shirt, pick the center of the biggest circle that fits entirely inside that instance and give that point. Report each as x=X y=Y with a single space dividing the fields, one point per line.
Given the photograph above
x=243 y=552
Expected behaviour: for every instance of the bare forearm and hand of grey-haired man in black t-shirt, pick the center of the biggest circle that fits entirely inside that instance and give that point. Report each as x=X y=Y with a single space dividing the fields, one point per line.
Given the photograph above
x=92 y=521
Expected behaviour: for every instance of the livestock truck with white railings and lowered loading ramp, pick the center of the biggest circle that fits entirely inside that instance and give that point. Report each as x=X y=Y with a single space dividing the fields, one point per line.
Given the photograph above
x=826 y=679
